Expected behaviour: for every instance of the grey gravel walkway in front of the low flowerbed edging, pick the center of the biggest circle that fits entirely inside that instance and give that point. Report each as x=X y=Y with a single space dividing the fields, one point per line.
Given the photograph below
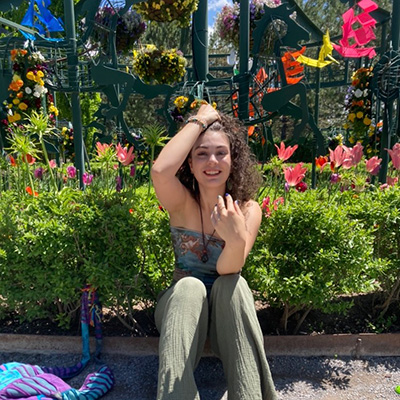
x=296 y=378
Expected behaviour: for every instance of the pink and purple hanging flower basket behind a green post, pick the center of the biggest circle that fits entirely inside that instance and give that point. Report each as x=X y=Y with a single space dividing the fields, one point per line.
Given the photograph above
x=227 y=24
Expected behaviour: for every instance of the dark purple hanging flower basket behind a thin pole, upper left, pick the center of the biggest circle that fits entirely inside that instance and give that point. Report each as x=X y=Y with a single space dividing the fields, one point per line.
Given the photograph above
x=129 y=29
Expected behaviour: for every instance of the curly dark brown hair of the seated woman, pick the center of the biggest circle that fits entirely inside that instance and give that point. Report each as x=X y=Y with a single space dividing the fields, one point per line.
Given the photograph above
x=244 y=179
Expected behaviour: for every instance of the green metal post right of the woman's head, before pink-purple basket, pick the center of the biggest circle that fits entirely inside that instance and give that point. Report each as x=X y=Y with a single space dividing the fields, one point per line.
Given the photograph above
x=244 y=53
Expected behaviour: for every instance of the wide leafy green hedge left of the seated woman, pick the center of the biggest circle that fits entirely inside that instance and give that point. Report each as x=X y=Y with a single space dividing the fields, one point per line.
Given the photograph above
x=54 y=244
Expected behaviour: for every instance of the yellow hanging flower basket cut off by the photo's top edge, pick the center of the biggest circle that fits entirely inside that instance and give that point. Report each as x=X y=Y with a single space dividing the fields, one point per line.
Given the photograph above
x=168 y=10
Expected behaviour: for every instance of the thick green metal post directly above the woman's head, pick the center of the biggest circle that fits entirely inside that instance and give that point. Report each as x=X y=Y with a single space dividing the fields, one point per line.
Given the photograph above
x=200 y=41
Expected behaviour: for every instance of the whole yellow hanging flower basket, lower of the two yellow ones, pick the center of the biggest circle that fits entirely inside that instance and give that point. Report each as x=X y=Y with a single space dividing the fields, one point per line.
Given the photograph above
x=159 y=66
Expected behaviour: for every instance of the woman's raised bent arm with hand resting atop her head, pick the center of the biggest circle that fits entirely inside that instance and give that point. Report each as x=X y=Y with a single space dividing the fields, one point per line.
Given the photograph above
x=169 y=190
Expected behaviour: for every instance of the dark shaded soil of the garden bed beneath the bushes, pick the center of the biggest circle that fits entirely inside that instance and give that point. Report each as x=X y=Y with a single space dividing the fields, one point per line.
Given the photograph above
x=359 y=319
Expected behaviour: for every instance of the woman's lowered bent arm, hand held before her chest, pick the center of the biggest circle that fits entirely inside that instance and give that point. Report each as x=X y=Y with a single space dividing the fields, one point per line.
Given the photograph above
x=238 y=230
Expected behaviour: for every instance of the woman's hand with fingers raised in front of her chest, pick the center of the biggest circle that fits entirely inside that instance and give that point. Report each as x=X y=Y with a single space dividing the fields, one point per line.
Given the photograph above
x=229 y=221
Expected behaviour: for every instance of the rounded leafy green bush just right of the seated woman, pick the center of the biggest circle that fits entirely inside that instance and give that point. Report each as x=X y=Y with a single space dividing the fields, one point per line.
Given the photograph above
x=309 y=252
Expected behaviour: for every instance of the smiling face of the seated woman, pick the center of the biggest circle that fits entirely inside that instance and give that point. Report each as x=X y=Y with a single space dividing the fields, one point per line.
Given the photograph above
x=210 y=159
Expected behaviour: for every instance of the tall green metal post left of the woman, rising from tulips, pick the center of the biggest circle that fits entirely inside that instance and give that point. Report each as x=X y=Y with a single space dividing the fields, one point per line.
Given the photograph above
x=72 y=60
